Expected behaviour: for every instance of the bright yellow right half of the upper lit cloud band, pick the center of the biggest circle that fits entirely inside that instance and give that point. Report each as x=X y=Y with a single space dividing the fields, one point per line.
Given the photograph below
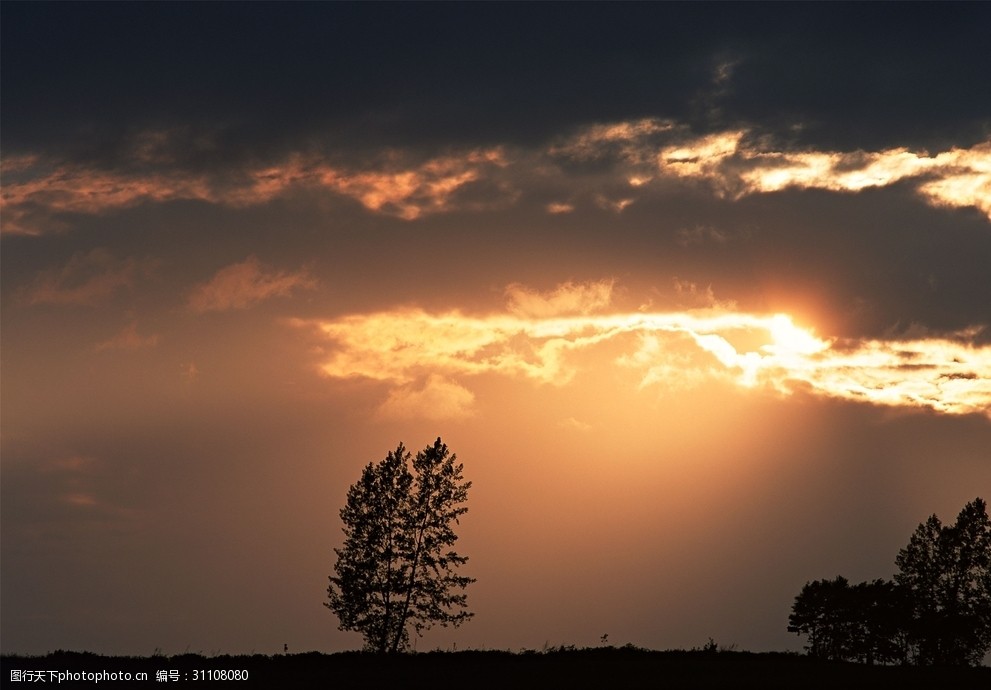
x=735 y=166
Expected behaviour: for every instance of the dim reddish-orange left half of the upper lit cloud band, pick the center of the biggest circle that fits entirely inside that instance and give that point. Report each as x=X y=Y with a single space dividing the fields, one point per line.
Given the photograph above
x=34 y=192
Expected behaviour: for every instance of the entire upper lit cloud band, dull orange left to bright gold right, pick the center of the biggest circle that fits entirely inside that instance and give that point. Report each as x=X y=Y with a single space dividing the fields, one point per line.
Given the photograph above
x=38 y=194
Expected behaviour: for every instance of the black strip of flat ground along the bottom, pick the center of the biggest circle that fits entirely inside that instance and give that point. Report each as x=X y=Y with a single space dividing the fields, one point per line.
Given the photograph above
x=598 y=668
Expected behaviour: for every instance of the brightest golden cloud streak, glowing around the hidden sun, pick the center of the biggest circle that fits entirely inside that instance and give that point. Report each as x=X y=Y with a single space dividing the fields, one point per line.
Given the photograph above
x=947 y=374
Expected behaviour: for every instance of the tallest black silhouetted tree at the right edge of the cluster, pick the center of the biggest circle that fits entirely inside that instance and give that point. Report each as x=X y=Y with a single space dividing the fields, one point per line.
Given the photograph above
x=946 y=573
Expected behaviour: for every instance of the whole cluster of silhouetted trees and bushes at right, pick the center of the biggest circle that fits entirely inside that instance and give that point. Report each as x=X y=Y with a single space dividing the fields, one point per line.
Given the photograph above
x=937 y=611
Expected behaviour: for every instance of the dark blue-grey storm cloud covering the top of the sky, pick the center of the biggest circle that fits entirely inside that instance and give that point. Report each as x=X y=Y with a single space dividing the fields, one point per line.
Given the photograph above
x=80 y=78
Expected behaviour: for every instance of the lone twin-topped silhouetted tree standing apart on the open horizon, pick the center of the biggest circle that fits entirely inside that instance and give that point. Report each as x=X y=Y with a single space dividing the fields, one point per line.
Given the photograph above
x=396 y=566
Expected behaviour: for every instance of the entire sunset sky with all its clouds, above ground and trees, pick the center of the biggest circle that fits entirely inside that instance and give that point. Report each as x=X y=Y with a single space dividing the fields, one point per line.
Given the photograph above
x=699 y=294
